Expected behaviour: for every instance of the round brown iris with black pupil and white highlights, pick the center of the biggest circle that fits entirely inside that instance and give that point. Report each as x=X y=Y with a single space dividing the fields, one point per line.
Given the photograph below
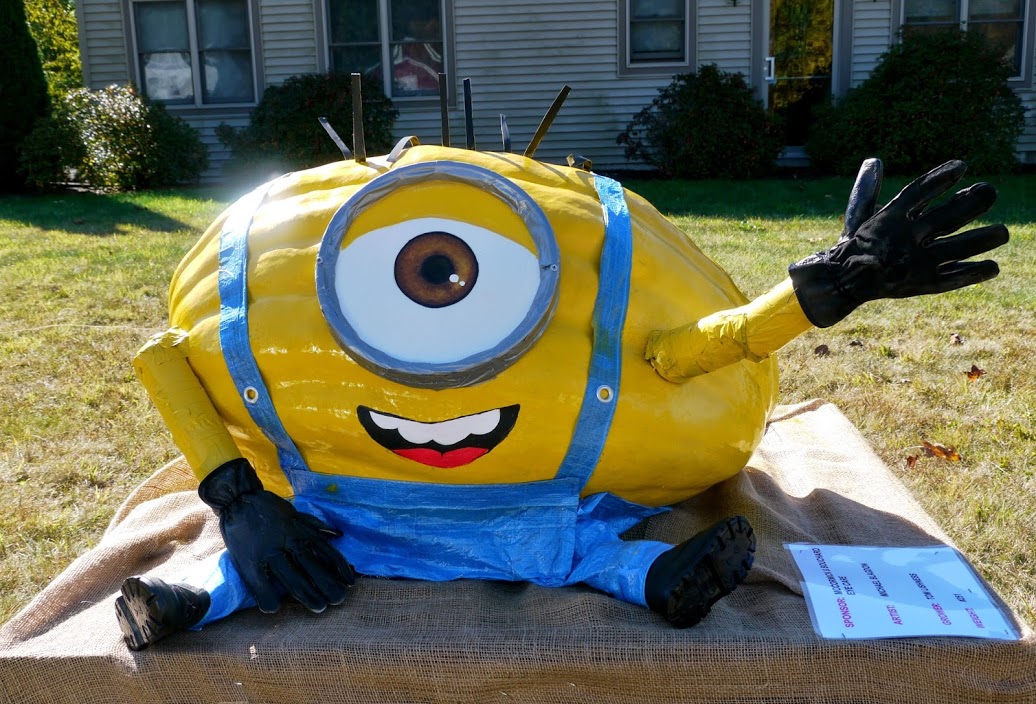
x=437 y=270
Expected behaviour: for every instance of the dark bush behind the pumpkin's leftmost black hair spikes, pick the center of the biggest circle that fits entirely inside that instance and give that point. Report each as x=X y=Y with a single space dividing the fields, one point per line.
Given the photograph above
x=284 y=133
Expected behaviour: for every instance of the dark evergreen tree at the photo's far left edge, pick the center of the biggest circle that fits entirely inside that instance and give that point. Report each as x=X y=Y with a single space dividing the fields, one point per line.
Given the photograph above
x=23 y=90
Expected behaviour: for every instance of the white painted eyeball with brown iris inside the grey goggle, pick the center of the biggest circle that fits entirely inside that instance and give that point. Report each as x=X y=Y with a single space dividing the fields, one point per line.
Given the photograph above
x=434 y=290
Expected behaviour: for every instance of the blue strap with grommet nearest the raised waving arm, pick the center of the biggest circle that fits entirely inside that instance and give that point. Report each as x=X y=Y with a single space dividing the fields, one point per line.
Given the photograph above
x=610 y=317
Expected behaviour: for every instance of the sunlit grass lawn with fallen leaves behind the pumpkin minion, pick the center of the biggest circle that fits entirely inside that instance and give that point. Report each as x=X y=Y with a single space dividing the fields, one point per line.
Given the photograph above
x=83 y=281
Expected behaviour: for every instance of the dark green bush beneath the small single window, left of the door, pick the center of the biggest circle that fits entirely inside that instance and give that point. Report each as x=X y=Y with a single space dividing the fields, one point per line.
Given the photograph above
x=705 y=126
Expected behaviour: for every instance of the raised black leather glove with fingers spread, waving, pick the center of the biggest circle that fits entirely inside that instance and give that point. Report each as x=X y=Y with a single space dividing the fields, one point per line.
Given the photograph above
x=903 y=250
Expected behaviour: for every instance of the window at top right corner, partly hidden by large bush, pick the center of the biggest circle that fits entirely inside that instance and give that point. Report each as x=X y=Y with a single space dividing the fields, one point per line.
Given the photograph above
x=1001 y=21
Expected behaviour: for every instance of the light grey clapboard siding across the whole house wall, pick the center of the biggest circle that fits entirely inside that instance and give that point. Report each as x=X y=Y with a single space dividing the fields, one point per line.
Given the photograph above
x=519 y=56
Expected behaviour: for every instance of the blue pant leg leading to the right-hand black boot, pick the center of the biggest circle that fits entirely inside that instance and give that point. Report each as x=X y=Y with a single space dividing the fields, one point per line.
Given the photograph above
x=617 y=567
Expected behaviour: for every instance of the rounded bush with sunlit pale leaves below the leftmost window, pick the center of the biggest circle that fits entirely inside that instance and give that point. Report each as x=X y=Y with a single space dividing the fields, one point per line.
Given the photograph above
x=113 y=139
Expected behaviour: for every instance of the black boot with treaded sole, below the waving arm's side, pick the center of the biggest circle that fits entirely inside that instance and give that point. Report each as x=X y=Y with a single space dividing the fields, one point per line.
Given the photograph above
x=684 y=582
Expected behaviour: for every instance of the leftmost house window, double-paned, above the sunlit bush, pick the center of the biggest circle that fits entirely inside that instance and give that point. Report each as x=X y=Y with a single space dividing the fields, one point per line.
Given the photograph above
x=195 y=52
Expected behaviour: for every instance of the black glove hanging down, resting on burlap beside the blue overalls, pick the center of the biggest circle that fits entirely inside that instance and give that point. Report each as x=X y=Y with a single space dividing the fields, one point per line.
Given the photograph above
x=273 y=545
